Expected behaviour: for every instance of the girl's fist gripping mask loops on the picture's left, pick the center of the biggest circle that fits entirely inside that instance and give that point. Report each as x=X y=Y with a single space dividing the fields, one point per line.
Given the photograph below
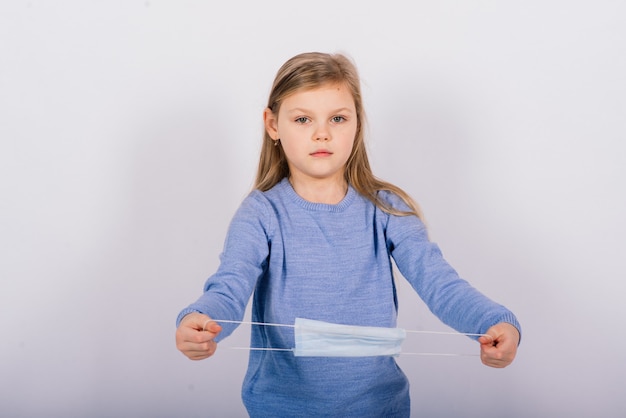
x=195 y=334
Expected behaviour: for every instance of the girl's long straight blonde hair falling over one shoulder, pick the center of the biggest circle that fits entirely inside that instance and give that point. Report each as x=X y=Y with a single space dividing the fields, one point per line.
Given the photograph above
x=308 y=71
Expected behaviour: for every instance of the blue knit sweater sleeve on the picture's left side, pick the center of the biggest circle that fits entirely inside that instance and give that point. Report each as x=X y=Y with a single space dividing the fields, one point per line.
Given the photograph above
x=242 y=262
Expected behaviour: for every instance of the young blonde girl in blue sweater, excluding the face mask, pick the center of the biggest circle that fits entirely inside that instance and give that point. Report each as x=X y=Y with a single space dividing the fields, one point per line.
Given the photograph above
x=315 y=239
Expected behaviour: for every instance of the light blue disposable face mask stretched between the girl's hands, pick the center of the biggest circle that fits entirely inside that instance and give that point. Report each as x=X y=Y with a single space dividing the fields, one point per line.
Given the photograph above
x=324 y=339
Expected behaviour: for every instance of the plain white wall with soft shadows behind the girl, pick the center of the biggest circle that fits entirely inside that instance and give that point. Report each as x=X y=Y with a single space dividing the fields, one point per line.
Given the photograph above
x=130 y=132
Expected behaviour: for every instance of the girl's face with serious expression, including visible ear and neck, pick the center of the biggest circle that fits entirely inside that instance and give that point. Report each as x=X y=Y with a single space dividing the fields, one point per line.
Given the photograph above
x=317 y=129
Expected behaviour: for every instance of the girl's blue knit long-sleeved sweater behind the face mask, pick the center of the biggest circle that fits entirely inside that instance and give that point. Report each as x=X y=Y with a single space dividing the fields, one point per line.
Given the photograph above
x=330 y=263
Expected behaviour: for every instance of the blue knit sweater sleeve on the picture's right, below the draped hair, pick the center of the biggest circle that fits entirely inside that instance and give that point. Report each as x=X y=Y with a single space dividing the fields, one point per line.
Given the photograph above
x=452 y=299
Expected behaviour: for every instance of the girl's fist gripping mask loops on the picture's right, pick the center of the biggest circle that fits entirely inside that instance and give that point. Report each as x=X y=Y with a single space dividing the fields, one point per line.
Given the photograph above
x=499 y=347
